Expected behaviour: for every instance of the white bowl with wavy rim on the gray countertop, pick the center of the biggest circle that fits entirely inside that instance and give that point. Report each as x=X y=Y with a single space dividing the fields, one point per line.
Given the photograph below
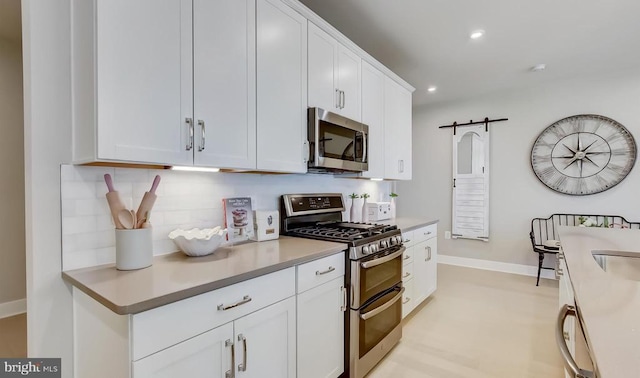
x=198 y=242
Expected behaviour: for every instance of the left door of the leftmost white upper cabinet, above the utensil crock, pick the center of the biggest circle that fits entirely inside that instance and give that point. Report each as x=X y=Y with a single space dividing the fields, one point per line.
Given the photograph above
x=144 y=80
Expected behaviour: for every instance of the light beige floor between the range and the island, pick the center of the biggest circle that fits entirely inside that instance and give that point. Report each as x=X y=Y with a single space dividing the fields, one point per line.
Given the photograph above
x=479 y=324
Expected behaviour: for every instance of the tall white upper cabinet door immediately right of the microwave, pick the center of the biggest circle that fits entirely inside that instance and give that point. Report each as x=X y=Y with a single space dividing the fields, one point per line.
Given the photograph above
x=373 y=116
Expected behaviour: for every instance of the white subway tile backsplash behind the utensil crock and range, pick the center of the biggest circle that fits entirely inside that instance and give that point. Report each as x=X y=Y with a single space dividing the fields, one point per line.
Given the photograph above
x=185 y=200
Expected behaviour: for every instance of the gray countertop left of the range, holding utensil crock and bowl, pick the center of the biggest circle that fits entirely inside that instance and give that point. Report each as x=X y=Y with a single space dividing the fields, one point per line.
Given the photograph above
x=176 y=276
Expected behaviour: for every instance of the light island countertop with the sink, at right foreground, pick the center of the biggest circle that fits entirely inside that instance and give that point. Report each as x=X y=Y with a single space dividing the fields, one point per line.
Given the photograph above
x=608 y=304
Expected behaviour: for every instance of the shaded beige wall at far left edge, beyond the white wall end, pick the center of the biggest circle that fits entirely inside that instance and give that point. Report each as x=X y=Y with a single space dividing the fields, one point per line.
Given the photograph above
x=12 y=252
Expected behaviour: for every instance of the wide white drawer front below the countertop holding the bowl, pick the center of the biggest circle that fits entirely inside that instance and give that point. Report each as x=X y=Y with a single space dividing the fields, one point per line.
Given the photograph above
x=168 y=325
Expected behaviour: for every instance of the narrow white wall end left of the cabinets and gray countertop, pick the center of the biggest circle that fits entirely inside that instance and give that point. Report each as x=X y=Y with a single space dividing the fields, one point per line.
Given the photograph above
x=47 y=118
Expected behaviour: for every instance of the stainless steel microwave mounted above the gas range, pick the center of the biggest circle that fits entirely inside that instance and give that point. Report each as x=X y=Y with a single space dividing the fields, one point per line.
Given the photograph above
x=336 y=143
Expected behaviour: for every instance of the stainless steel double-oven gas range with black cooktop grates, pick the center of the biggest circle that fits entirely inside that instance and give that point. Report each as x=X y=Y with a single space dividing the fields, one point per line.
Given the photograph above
x=374 y=274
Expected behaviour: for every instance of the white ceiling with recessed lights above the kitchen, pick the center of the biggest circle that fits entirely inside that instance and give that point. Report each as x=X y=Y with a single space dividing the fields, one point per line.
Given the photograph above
x=426 y=42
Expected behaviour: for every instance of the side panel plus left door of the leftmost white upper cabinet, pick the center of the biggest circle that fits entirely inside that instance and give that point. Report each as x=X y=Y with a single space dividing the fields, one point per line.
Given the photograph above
x=132 y=80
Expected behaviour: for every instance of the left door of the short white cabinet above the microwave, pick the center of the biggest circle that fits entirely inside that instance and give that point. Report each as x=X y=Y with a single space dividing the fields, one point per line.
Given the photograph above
x=323 y=90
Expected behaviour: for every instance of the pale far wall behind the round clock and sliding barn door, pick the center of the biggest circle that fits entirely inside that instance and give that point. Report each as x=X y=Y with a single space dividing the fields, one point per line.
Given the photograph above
x=516 y=194
